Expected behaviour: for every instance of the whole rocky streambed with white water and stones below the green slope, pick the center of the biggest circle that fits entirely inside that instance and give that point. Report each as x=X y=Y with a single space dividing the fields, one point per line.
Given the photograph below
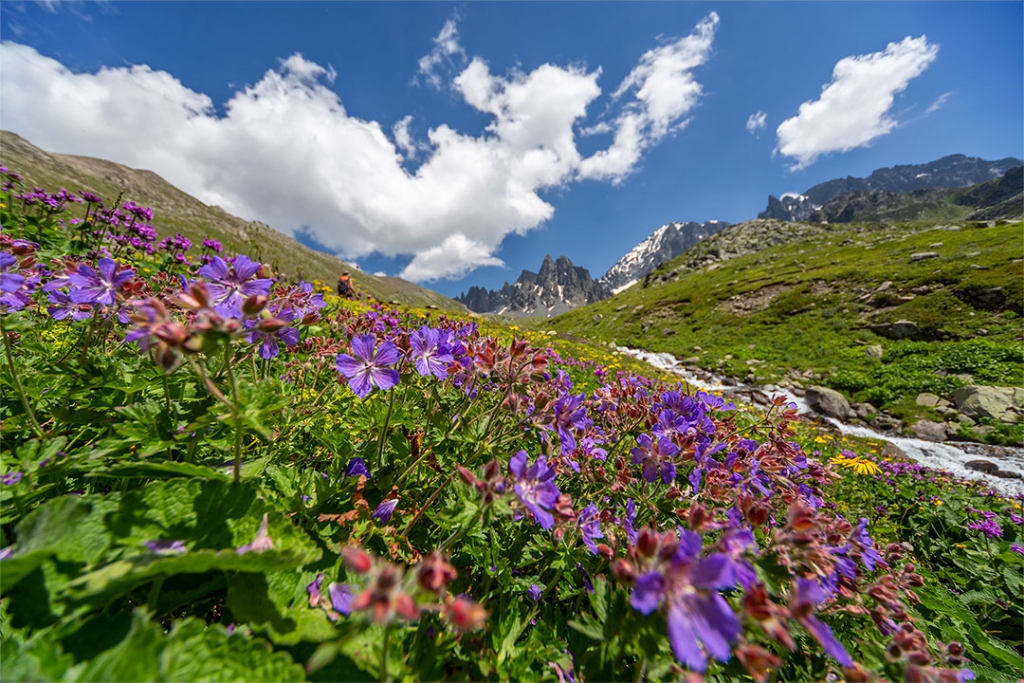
x=1001 y=467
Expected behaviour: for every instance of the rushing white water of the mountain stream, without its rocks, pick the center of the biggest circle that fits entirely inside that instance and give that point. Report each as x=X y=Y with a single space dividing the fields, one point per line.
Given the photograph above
x=947 y=456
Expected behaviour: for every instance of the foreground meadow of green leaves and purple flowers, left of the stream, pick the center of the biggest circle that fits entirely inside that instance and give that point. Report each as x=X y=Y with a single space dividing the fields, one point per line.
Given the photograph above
x=212 y=474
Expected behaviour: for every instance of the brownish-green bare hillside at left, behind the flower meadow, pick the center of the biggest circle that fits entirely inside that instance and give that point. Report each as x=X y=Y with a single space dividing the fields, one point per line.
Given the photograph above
x=178 y=212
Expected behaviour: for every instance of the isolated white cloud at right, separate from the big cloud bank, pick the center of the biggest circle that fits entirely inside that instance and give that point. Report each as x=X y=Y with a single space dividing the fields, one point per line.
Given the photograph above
x=854 y=110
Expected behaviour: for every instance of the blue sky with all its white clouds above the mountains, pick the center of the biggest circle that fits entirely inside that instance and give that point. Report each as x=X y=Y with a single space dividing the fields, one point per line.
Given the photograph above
x=458 y=144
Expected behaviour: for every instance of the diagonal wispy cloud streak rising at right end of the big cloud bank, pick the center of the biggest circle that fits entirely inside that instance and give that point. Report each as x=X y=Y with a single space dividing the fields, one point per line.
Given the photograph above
x=665 y=93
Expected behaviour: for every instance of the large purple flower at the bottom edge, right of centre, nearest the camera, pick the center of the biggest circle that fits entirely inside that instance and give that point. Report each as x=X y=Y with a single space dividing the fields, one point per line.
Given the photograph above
x=698 y=615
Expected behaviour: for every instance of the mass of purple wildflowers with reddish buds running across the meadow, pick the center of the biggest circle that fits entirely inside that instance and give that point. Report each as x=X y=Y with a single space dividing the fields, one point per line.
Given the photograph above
x=685 y=521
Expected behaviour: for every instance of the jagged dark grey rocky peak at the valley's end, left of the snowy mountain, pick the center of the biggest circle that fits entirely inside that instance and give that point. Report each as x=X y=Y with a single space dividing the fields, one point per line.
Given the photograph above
x=559 y=287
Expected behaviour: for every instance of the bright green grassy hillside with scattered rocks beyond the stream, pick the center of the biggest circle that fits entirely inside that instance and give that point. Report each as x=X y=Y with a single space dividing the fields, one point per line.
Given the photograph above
x=809 y=305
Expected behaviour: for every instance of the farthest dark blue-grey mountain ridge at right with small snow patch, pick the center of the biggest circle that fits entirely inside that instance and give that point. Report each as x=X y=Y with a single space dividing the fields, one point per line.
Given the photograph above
x=952 y=172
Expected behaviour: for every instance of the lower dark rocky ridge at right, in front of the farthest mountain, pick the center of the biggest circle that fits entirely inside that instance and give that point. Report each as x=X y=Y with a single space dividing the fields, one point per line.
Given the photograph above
x=1000 y=198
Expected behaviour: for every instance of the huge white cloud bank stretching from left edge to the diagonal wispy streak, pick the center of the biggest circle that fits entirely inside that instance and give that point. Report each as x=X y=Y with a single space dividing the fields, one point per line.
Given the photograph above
x=287 y=152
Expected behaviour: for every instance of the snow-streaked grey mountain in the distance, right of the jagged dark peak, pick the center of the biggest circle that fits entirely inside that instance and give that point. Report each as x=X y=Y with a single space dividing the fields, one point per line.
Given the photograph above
x=663 y=245
